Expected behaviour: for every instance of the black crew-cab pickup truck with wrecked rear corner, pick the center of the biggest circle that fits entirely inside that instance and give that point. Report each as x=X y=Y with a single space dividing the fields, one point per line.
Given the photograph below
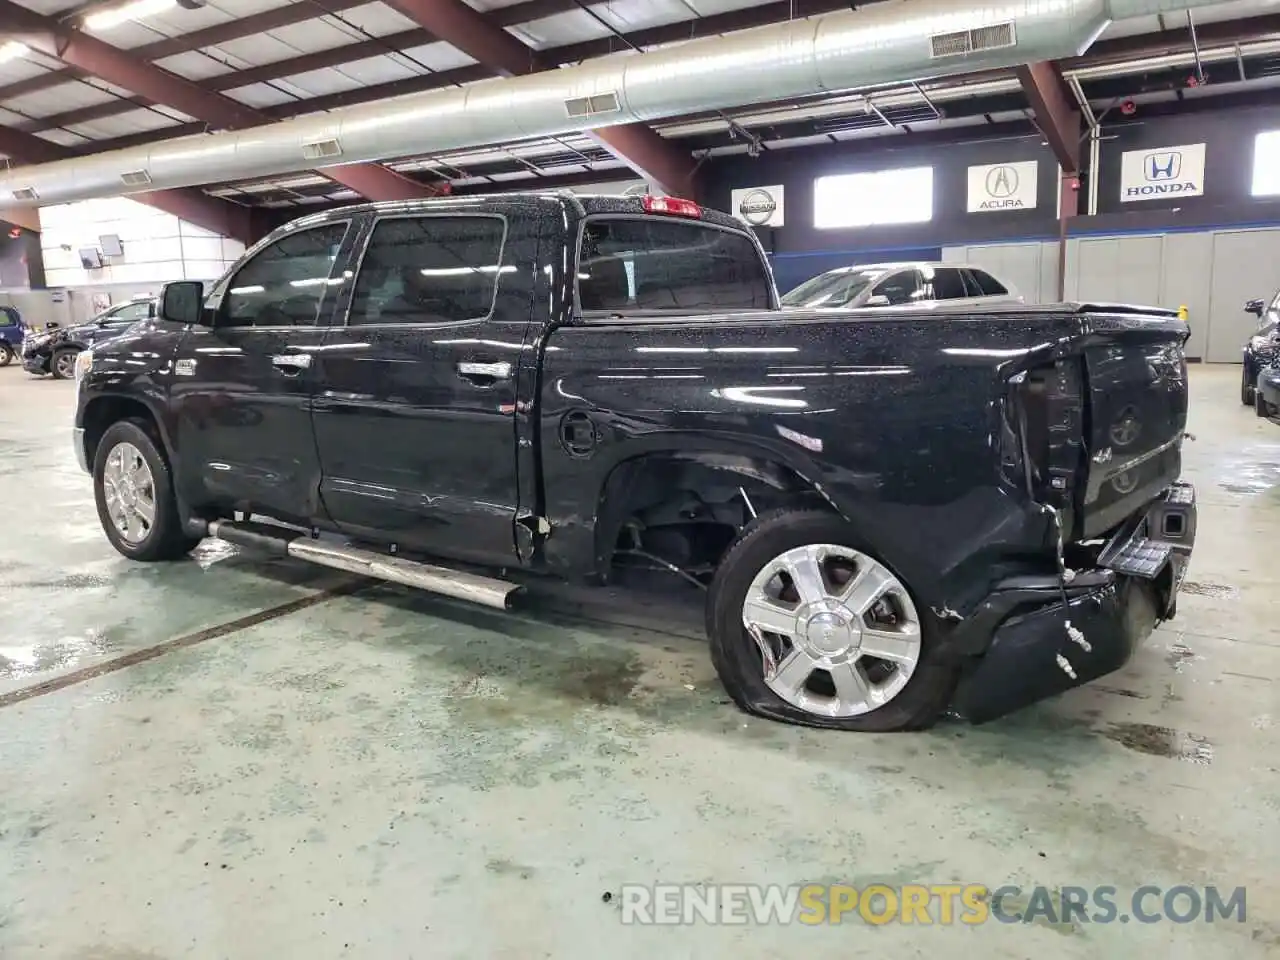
x=893 y=515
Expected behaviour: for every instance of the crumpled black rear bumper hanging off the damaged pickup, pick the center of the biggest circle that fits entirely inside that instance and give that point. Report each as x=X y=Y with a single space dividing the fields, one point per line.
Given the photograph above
x=1032 y=644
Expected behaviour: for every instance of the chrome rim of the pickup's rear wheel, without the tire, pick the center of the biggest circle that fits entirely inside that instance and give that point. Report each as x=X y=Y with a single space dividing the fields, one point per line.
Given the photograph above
x=839 y=634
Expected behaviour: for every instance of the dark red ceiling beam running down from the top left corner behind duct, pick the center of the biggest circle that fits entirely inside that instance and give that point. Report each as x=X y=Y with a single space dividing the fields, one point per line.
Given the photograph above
x=124 y=70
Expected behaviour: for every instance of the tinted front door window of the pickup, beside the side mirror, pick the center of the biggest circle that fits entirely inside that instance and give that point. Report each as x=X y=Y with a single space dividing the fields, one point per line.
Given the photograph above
x=285 y=284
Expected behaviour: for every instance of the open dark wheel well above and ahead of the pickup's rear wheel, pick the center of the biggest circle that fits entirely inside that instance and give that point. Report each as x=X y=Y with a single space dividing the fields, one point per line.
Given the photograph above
x=683 y=511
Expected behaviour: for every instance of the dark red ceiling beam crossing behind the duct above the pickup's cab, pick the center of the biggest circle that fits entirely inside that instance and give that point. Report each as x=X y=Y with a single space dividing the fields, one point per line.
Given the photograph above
x=467 y=29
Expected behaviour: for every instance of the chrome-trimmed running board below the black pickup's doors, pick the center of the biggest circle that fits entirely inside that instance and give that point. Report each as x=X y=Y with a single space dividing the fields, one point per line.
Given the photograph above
x=284 y=542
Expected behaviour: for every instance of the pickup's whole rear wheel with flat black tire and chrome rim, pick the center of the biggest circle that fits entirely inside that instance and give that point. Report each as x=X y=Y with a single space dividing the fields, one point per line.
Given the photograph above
x=835 y=639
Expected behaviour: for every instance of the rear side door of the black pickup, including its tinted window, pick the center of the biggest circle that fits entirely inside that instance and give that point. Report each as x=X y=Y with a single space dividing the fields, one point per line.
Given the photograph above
x=415 y=419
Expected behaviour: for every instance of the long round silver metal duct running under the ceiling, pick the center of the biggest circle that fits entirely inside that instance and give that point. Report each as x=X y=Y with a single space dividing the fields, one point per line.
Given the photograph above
x=881 y=44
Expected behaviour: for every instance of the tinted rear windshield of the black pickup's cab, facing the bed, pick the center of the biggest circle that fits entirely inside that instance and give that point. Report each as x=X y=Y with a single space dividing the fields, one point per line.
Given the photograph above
x=659 y=264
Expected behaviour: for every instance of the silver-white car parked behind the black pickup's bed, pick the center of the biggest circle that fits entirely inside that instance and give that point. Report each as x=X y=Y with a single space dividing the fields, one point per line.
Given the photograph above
x=916 y=285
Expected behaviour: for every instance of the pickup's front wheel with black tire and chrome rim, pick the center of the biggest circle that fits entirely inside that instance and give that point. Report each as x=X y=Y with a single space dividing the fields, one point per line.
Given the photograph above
x=134 y=491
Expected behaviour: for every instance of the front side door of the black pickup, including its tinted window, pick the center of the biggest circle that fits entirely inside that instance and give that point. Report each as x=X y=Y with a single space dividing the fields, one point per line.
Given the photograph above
x=243 y=383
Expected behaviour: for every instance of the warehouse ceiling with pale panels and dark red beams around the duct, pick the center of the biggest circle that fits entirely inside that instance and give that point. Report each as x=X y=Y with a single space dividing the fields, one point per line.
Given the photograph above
x=94 y=77
